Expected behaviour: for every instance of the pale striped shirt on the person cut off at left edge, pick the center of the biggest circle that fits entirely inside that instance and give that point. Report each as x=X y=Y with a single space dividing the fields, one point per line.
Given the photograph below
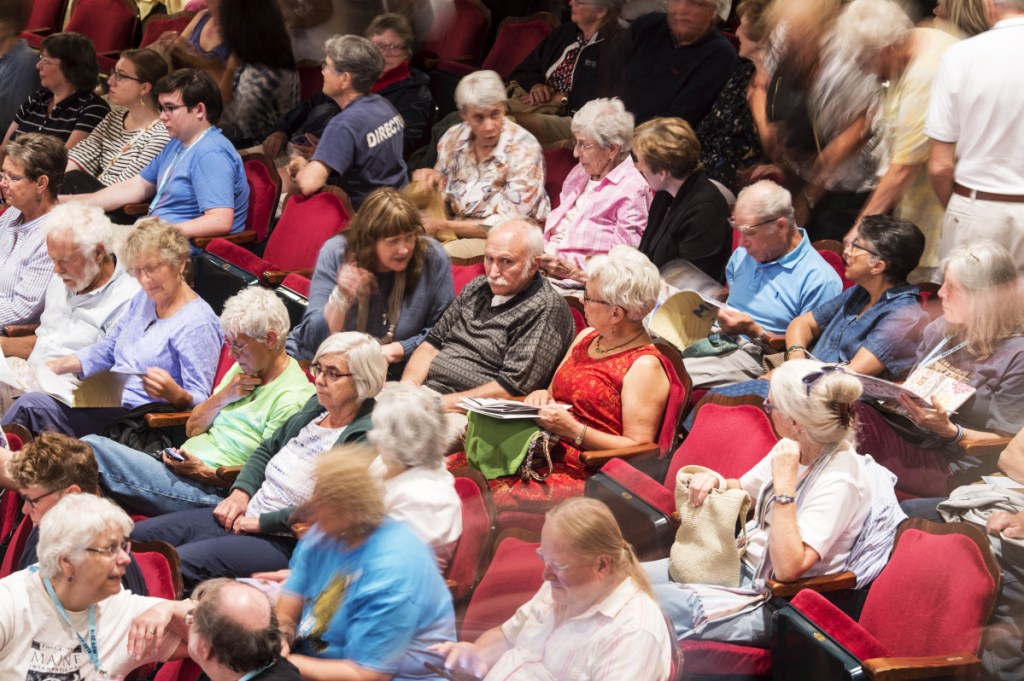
x=26 y=269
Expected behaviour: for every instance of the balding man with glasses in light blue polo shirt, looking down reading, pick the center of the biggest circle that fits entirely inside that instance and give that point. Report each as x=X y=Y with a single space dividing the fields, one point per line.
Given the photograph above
x=774 y=277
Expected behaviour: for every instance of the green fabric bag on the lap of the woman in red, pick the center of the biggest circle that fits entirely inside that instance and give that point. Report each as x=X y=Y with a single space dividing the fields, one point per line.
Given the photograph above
x=499 y=447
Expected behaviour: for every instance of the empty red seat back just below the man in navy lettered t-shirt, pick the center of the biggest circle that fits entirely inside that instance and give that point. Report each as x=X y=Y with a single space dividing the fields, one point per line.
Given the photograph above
x=305 y=226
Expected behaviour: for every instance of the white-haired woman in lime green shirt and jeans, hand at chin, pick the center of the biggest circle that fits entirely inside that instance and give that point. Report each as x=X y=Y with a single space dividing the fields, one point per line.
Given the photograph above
x=262 y=391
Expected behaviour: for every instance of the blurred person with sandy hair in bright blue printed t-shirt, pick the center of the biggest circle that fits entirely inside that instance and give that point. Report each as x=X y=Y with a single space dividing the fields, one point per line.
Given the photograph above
x=365 y=599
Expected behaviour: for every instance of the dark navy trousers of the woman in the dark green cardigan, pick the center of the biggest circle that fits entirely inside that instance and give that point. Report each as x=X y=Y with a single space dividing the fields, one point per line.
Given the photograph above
x=207 y=550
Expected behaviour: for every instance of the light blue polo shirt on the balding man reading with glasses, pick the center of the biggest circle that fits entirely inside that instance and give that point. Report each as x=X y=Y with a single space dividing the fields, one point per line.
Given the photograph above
x=775 y=293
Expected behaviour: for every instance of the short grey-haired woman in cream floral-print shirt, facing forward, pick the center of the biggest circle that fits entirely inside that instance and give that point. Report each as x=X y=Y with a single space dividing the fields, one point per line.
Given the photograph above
x=489 y=169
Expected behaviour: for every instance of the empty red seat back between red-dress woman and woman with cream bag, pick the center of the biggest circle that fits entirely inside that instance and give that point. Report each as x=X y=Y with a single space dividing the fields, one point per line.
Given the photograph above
x=728 y=440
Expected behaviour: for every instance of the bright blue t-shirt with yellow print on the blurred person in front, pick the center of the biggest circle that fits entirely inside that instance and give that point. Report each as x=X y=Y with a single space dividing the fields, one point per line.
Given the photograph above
x=379 y=606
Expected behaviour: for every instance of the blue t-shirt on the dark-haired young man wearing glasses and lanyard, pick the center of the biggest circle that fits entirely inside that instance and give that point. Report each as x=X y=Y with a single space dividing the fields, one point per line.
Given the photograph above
x=208 y=175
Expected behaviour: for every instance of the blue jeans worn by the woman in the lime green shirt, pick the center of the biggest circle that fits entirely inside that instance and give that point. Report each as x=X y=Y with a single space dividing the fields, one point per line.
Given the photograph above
x=145 y=486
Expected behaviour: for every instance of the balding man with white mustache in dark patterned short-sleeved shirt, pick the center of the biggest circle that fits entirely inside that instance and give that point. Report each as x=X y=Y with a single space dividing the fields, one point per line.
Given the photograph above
x=505 y=334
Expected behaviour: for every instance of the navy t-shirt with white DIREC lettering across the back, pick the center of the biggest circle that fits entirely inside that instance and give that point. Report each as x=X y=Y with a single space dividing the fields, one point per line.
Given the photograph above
x=362 y=146
